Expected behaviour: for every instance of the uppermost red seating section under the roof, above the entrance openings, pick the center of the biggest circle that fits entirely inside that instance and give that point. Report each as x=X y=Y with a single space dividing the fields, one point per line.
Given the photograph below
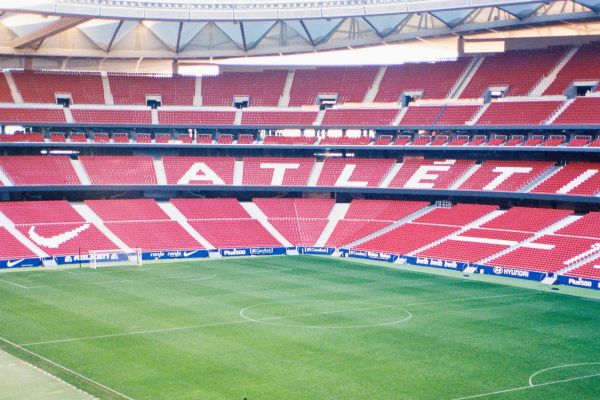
x=518 y=72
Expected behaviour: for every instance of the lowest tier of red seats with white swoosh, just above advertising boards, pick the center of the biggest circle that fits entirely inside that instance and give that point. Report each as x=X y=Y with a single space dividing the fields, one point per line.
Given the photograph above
x=537 y=239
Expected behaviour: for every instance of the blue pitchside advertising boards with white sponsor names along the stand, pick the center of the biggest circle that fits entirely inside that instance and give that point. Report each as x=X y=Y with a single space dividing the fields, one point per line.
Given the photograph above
x=309 y=250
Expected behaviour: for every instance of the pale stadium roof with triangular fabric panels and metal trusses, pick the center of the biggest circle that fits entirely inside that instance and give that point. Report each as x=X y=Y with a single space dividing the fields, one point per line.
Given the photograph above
x=185 y=29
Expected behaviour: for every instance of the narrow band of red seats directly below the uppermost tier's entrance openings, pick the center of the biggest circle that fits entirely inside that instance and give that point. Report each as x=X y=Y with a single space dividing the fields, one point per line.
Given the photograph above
x=582 y=111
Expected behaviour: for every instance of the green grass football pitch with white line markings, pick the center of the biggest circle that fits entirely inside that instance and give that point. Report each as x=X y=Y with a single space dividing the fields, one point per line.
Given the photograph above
x=299 y=328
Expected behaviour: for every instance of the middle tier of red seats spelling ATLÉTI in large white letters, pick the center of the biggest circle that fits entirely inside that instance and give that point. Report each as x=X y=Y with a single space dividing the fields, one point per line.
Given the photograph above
x=577 y=178
